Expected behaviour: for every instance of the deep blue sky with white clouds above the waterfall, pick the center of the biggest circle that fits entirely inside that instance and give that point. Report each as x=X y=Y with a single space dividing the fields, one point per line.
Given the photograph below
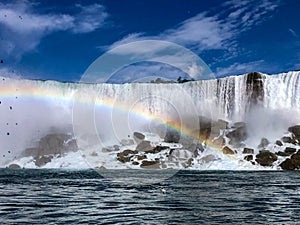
x=60 y=39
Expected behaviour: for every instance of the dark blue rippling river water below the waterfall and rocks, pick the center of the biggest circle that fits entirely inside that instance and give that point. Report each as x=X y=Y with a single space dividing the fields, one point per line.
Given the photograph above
x=189 y=197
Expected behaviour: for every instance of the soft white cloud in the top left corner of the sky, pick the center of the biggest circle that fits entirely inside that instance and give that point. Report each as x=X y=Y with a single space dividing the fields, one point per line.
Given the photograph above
x=22 y=28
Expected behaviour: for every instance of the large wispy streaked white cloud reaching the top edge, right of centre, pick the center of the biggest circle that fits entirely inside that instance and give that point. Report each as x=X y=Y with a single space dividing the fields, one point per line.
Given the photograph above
x=219 y=31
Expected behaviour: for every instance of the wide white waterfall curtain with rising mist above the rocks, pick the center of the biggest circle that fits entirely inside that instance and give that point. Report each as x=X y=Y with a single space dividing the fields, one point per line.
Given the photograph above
x=41 y=107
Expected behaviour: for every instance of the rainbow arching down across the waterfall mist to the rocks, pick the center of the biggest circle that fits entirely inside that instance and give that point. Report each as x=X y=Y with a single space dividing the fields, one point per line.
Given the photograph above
x=49 y=91
